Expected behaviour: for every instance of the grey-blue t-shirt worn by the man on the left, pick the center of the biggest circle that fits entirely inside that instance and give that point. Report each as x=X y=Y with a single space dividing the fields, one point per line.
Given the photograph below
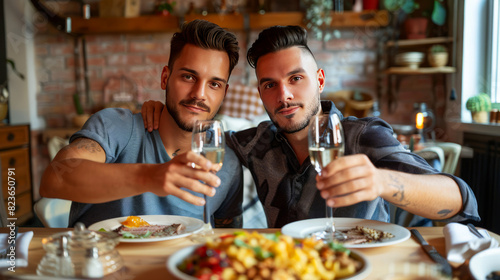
x=125 y=140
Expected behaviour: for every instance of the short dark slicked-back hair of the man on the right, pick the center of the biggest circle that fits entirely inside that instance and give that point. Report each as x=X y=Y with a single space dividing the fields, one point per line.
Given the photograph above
x=277 y=38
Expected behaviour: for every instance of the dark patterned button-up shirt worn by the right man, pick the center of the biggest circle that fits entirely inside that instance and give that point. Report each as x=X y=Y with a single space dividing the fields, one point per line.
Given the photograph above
x=288 y=190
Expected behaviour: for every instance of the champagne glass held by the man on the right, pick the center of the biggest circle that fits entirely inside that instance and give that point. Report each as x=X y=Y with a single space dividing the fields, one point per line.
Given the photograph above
x=326 y=143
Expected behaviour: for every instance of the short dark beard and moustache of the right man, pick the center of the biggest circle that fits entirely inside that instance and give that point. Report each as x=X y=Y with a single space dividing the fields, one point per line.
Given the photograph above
x=310 y=112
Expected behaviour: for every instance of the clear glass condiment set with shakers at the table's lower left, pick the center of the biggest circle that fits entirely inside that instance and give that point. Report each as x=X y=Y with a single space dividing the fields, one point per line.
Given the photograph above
x=80 y=253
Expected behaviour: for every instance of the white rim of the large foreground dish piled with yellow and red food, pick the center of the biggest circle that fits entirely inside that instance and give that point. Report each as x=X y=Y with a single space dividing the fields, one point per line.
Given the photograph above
x=178 y=257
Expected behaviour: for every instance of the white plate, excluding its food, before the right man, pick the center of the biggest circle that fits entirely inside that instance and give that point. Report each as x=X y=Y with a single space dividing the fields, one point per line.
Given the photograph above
x=304 y=228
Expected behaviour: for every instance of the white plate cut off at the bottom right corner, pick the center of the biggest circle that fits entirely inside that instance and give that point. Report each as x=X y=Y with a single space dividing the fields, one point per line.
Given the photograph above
x=484 y=263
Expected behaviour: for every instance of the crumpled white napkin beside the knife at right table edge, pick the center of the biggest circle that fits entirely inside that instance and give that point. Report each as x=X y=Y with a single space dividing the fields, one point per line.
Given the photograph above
x=461 y=244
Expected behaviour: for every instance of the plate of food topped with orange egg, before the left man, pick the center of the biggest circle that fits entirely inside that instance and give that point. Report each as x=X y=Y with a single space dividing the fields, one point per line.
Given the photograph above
x=150 y=228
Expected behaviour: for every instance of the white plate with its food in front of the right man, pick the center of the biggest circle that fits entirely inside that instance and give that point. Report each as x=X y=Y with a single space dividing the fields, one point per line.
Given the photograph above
x=360 y=233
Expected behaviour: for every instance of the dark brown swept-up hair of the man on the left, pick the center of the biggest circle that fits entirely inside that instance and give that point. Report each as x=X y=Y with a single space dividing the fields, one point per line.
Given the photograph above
x=205 y=35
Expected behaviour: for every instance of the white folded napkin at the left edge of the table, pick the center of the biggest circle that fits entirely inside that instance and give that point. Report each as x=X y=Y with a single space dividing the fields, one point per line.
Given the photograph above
x=21 y=257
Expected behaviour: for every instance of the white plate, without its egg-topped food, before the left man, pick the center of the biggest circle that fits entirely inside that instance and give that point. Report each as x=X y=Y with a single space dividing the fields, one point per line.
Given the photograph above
x=192 y=226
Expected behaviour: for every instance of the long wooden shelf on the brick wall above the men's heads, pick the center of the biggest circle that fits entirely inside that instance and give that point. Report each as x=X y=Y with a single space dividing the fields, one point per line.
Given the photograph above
x=230 y=21
